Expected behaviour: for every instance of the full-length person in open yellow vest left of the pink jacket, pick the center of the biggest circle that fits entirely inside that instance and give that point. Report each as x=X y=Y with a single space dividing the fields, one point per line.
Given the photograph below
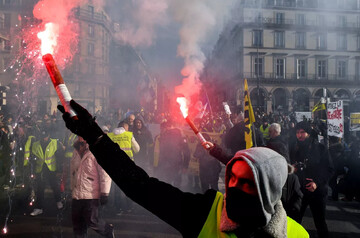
x=45 y=152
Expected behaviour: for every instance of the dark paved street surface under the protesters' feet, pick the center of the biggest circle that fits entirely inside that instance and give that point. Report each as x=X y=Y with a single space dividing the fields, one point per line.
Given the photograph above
x=343 y=219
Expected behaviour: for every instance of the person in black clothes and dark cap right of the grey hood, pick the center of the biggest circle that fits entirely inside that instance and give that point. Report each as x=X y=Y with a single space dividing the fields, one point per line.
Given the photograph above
x=314 y=168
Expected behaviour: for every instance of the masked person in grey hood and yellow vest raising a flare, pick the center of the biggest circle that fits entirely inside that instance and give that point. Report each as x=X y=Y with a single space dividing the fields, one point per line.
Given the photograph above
x=251 y=206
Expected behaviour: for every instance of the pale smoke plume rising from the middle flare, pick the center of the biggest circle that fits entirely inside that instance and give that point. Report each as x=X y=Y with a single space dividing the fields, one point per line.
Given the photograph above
x=198 y=20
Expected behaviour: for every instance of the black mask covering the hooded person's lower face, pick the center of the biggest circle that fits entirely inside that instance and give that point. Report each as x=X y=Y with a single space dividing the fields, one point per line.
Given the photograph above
x=244 y=209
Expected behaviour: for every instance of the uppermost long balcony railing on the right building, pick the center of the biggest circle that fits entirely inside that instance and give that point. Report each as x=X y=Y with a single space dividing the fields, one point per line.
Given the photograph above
x=308 y=23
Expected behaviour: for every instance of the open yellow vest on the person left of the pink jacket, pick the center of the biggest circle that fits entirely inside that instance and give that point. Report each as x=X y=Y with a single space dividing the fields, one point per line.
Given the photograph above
x=48 y=157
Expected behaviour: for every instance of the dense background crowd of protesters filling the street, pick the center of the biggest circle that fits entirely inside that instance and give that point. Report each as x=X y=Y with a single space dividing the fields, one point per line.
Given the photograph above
x=166 y=155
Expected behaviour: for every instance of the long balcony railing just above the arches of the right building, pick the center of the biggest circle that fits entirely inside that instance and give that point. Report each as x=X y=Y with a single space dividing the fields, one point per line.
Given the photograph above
x=308 y=77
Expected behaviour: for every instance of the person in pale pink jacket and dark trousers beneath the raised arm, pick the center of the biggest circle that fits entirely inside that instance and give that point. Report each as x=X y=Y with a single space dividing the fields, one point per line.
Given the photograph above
x=90 y=186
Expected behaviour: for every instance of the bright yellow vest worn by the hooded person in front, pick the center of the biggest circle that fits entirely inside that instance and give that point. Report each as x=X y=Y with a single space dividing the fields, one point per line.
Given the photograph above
x=212 y=224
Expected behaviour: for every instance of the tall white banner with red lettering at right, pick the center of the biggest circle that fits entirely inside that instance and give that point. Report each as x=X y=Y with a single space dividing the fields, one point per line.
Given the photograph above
x=335 y=118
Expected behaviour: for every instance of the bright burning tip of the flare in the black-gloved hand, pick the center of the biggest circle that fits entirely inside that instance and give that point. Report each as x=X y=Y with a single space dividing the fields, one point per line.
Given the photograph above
x=49 y=38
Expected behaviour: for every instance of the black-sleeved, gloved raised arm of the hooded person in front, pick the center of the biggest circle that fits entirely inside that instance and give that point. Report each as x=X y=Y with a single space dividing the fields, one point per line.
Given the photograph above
x=186 y=212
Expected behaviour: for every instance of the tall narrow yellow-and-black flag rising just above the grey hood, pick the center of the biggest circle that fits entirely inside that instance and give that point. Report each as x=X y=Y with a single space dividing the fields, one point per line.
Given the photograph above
x=249 y=117
